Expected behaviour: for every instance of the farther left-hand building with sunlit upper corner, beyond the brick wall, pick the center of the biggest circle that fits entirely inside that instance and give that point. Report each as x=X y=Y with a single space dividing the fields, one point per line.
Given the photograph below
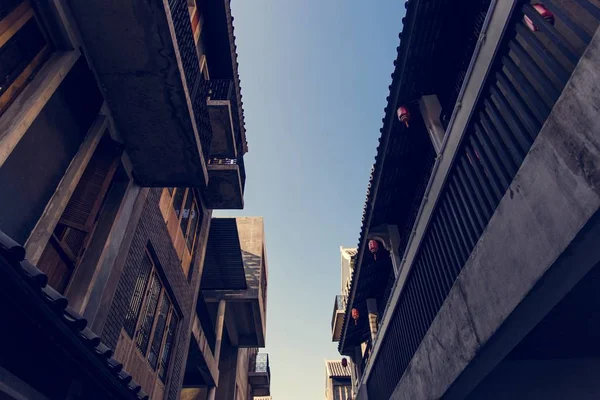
x=230 y=322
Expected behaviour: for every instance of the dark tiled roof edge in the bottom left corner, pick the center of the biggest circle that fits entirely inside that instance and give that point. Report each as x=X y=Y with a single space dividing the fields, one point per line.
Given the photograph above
x=25 y=287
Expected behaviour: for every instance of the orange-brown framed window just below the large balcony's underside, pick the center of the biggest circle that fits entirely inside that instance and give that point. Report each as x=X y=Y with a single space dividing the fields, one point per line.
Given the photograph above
x=183 y=216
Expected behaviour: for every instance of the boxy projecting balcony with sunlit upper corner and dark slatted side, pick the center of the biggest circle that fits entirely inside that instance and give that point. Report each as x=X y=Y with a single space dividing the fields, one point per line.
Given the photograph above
x=235 y=270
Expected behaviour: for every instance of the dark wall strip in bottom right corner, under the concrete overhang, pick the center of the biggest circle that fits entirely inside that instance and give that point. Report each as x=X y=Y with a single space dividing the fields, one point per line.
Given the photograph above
x=541 y=379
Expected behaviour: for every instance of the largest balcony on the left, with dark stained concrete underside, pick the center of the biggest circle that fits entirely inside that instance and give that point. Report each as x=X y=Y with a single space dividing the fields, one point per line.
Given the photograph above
x=146 y=62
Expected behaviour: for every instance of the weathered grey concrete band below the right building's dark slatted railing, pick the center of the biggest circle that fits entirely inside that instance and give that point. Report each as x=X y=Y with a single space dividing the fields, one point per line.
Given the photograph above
x=553 y=196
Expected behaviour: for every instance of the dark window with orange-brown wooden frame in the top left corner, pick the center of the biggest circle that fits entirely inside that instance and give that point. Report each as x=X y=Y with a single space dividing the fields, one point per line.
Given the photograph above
x=23 y=49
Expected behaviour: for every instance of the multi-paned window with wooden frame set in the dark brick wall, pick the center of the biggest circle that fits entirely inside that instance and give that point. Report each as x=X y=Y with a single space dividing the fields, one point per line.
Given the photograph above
x=156 y=323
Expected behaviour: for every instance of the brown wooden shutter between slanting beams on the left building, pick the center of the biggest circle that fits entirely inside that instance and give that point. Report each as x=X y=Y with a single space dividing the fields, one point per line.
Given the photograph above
x=73 y=232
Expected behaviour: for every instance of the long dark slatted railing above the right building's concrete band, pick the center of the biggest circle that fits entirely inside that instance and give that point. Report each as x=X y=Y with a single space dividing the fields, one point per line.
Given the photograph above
x=535 y=60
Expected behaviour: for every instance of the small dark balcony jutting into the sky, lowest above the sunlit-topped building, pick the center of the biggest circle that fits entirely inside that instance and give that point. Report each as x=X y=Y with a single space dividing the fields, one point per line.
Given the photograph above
x=227 y=178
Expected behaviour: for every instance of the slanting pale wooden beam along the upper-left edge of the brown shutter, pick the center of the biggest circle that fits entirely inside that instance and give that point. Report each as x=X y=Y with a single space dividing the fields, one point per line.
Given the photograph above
x=42 y=231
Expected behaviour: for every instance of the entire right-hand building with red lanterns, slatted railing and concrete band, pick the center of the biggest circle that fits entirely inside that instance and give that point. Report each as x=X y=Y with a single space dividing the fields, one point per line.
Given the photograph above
x=477 y=258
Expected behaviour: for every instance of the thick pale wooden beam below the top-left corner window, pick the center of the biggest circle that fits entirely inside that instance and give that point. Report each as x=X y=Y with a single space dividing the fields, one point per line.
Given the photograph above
x=24 y=110
